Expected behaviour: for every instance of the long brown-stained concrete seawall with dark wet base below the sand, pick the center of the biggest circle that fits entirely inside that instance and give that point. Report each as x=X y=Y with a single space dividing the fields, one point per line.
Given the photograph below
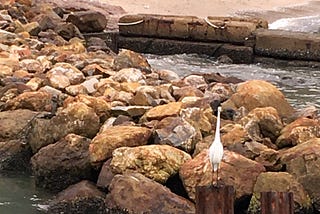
x=243 y=40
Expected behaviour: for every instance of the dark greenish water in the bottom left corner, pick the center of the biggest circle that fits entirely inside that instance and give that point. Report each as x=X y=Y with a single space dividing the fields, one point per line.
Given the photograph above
x=18 y=195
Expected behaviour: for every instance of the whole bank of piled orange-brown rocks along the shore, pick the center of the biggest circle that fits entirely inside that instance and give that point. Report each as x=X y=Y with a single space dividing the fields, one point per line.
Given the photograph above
x=108 y=133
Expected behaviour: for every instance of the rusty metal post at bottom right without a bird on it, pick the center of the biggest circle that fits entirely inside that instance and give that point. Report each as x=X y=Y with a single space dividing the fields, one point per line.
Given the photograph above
x=277 y=203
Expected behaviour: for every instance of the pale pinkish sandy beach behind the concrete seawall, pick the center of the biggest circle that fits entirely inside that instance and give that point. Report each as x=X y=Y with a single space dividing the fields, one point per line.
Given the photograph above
x=269 y=9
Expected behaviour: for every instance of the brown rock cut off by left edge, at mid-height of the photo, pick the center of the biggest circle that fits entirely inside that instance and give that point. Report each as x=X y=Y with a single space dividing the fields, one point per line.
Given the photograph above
x=14 y=124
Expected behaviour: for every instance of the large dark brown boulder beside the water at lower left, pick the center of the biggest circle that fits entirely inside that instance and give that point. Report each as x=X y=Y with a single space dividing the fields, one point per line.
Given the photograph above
x=63 y=163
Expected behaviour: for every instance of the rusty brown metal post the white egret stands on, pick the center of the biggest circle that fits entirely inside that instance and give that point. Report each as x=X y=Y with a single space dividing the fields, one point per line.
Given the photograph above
x=215 y=199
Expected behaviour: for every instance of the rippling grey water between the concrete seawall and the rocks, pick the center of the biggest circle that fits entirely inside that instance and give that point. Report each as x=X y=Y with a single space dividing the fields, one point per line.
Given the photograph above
x=301 y=86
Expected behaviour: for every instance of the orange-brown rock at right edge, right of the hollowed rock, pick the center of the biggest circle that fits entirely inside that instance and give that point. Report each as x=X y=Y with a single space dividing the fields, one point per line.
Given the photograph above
x=299 y=131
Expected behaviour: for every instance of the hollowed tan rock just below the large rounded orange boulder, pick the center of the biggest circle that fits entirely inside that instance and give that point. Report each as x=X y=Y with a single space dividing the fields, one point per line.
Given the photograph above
x=263 y=123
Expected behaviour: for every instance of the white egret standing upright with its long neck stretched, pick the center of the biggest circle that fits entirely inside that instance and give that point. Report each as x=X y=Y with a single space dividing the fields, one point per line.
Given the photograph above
x=216 y=148
